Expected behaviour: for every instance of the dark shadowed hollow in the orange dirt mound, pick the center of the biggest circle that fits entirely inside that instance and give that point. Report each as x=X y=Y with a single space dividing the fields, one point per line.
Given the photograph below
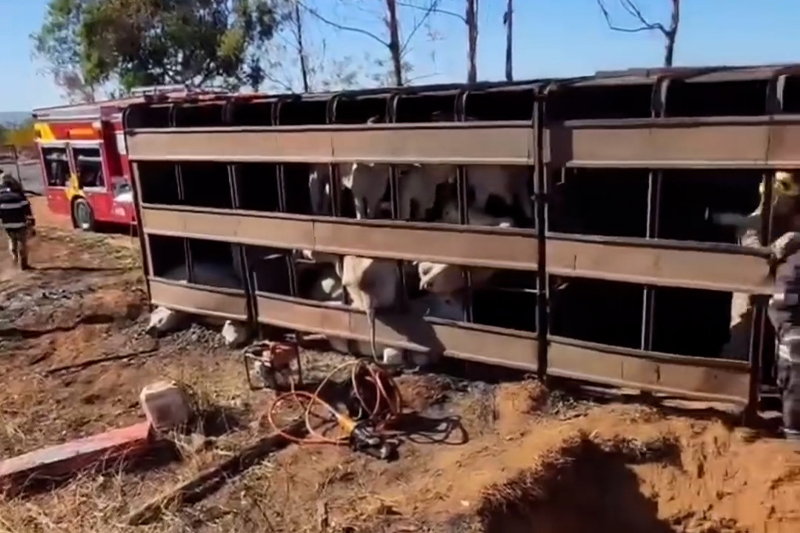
x=578 y=486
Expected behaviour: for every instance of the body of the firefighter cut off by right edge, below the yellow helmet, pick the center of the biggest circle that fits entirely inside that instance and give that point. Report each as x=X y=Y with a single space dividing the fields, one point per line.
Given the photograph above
x=784 y=313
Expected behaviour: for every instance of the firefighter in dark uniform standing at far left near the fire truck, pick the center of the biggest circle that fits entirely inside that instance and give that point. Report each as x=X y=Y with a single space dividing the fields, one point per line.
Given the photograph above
x=17 y=219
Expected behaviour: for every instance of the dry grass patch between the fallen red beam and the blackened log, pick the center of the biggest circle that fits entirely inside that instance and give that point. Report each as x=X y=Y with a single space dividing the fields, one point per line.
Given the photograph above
x=100 y=500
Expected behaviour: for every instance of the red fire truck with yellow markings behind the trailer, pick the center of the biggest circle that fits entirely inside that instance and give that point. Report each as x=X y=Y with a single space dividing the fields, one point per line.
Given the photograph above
x=84 y=161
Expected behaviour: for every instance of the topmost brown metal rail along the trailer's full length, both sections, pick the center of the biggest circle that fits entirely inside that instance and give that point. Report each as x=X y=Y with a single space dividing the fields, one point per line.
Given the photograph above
x=719 y=142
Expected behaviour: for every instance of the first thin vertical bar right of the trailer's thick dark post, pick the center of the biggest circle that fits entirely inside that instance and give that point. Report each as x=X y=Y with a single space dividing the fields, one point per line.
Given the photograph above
x=658 y=102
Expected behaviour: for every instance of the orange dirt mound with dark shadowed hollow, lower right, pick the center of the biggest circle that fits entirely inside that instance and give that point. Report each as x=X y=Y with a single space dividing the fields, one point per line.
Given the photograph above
x=631 y=469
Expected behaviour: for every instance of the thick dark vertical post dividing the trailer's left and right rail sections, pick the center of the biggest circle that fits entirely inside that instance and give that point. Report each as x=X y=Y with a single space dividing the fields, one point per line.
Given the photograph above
x=541 y=190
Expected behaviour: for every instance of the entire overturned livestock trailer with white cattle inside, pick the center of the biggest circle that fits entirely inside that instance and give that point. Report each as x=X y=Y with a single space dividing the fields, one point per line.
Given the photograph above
x=606 y=268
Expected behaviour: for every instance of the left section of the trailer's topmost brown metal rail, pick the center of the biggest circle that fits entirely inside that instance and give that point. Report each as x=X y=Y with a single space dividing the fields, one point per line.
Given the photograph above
x=454 y=143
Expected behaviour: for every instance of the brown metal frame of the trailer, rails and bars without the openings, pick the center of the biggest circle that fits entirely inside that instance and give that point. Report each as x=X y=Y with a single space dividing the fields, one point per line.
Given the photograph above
x=659 y=142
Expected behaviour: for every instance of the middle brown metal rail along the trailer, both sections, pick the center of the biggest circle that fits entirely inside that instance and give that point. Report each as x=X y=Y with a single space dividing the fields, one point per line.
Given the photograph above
x=645 y=261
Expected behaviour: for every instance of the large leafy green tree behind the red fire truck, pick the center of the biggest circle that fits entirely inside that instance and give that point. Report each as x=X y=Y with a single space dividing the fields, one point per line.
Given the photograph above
x=125 y=43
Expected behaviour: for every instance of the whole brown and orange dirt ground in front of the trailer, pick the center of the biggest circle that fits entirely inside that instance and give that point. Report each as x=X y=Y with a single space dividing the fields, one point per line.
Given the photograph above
x=492 y=458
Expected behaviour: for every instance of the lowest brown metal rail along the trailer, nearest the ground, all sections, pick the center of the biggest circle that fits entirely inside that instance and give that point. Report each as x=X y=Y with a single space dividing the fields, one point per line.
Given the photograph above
x=692 y=377
